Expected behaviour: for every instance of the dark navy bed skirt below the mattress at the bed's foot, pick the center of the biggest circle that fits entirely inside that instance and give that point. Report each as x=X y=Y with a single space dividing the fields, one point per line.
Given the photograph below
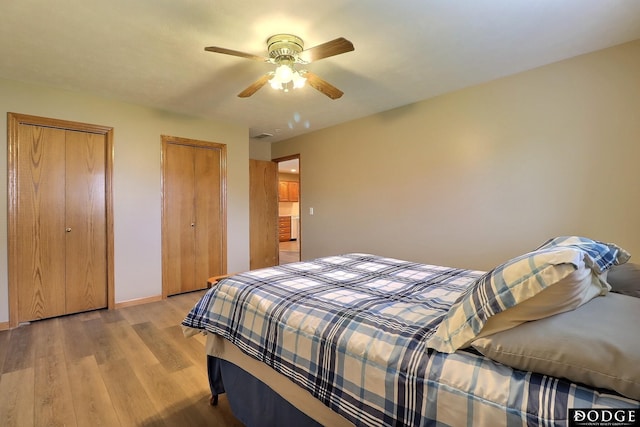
x=252 y=401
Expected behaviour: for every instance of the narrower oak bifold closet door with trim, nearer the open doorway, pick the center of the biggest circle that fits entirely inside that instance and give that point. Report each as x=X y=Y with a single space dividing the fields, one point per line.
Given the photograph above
x=193 y=214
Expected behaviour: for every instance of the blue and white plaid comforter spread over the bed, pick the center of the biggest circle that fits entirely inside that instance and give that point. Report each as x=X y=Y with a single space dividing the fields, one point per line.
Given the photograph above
x=352 y=330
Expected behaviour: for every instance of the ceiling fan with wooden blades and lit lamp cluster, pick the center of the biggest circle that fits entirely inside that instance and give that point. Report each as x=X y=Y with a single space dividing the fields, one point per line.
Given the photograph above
x=285 y=50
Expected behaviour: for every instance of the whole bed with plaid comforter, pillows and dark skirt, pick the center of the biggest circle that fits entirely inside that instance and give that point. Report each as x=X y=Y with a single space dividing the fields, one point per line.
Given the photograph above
x=361 y=339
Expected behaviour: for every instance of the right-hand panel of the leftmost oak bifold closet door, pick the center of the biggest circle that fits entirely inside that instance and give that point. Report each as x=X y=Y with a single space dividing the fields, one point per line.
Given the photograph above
x=86 y=231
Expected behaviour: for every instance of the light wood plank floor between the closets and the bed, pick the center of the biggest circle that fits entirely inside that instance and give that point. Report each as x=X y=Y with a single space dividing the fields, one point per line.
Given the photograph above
x=126 y=367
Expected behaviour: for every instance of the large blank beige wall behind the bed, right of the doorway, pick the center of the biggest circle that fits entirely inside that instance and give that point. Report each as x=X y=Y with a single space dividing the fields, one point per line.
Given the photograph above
x=474 y=177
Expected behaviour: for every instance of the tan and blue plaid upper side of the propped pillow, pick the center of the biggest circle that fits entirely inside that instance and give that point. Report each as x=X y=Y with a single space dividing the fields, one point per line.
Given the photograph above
x=507 y=285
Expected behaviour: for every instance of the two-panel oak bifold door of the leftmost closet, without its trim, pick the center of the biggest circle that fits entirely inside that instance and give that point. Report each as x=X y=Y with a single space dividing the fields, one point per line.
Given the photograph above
x=61 y=222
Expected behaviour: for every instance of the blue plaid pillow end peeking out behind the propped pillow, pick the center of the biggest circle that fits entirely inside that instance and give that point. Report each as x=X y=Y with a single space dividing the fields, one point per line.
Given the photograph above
x=601 y=256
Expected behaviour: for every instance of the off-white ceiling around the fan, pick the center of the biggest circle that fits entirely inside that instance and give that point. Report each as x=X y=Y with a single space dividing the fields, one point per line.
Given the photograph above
x=151 y=52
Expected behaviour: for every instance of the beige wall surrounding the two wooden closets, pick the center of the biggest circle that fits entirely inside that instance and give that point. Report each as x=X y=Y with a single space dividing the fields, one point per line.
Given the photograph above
x=136 y=179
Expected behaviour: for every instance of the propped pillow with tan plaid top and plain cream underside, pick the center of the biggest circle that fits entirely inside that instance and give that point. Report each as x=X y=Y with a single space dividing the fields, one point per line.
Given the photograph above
x=518 y=282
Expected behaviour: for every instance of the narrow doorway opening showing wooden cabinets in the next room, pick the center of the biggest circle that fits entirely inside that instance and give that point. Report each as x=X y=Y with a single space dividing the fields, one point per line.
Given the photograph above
x=289 y=230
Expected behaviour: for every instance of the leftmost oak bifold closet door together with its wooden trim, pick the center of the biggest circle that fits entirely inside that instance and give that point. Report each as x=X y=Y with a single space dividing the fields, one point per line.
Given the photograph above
x=41 y=283
